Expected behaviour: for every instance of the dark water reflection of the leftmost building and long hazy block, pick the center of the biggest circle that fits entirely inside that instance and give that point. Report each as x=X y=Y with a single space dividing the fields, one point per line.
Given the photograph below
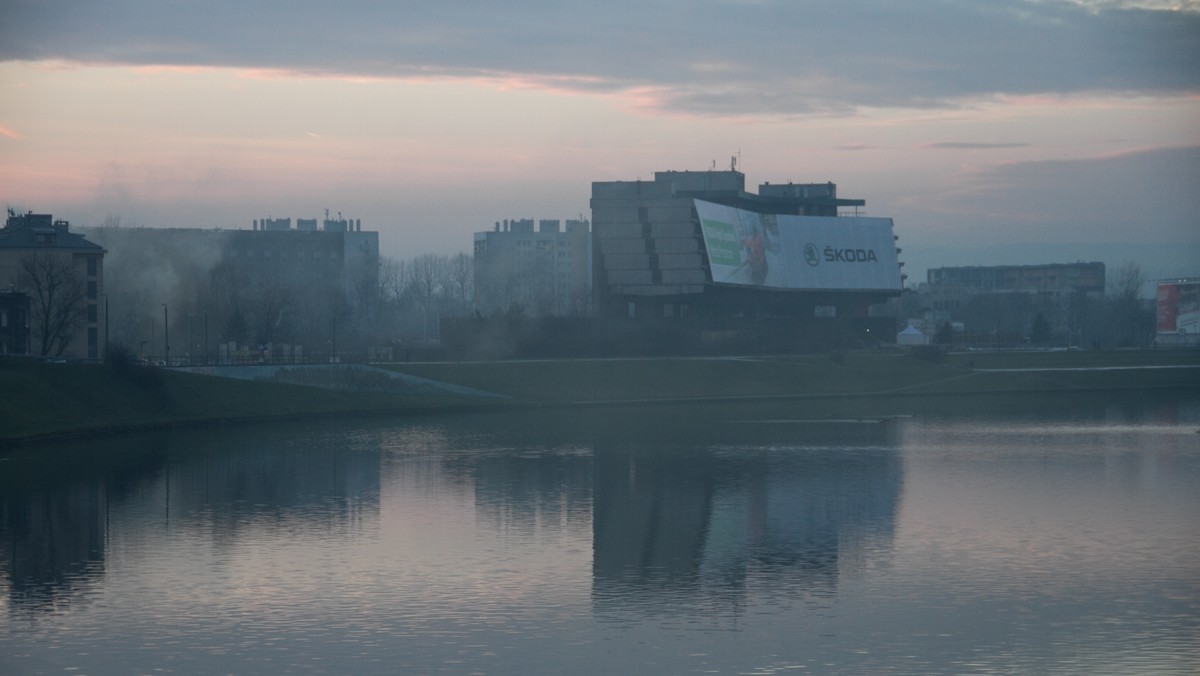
x=62 y=513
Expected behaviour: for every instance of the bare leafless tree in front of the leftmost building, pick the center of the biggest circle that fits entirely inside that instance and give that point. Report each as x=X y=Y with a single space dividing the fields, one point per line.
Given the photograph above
x=58 y=298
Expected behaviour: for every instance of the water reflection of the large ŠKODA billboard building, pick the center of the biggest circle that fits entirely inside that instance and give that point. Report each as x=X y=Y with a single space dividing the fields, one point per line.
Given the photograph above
x=784 y=511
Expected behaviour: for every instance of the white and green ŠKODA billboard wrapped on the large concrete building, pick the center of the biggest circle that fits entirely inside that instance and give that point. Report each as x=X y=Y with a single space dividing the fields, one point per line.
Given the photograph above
x=799 y=253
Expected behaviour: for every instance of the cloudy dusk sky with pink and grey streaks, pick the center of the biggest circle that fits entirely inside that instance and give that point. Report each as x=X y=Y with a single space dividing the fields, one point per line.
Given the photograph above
x=1021 y=131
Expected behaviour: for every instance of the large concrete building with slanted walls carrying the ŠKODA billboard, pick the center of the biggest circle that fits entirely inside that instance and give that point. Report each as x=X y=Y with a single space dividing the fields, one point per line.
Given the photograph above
x=697 y=247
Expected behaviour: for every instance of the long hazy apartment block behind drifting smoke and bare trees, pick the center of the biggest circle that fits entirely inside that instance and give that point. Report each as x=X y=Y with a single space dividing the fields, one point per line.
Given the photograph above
x=227 y=289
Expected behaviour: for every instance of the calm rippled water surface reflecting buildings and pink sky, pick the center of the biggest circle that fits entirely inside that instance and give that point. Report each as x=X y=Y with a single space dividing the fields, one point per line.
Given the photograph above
x=1019 y=535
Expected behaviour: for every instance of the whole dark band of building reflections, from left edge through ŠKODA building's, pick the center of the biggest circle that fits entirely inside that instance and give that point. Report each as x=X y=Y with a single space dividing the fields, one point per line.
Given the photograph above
x=677 y=504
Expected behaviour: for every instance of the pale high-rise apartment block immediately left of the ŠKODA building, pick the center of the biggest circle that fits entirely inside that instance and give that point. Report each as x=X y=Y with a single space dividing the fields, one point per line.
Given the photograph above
x=547 y=272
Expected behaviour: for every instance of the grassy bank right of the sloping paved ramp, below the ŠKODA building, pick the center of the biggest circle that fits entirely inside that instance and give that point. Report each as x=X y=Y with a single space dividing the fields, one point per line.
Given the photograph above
x=855 y=374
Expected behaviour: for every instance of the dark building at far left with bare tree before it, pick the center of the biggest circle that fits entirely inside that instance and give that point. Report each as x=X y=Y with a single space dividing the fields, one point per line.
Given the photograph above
x=62 y=278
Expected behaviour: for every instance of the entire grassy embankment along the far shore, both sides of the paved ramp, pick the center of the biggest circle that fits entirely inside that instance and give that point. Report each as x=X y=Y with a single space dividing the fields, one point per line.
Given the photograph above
x=47 y=400
